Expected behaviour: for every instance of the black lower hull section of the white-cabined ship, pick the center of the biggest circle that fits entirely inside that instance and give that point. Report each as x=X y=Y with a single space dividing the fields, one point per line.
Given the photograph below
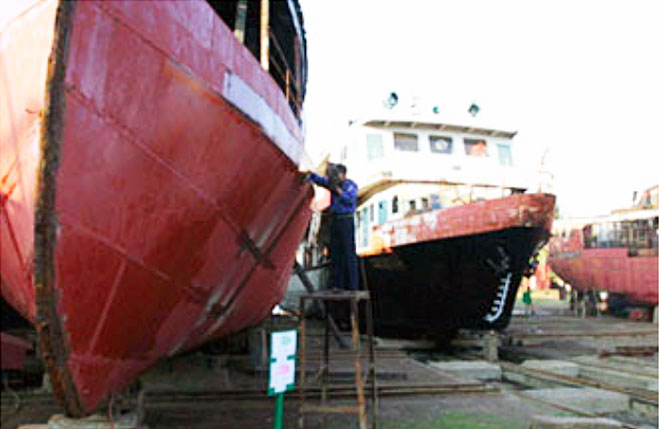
x=435 y=288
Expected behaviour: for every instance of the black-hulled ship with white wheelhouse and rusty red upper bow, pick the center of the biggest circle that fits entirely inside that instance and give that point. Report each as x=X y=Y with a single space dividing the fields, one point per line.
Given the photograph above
x=447 y=221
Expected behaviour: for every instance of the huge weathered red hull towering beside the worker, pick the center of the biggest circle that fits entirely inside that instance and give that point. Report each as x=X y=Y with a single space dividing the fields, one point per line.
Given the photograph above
x=148 y=204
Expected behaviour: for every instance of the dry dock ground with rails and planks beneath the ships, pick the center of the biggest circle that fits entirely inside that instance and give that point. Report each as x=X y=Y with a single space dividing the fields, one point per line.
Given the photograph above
x=553 y=365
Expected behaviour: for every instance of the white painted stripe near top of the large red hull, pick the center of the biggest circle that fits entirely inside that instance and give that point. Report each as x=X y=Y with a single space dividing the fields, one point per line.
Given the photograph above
x=241 y=95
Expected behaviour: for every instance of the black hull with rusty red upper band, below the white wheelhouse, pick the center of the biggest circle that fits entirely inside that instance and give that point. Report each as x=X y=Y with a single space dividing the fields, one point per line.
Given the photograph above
x=455 y=268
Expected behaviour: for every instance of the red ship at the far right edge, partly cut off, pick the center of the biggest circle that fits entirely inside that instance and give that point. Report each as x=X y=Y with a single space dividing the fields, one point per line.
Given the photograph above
x=613 y=256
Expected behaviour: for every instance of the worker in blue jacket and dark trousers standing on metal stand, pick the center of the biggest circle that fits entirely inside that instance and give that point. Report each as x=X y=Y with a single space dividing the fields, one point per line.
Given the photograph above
x=342 y=239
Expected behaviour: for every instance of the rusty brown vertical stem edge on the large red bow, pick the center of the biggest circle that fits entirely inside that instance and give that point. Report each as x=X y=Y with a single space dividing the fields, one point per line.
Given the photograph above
x=51 y=336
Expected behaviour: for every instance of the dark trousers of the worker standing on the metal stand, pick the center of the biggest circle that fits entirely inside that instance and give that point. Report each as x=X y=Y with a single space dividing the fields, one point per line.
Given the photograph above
x=342 y=253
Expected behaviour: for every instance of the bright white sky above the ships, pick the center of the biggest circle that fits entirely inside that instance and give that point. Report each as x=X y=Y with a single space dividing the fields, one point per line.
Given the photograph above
x=577 y=79
